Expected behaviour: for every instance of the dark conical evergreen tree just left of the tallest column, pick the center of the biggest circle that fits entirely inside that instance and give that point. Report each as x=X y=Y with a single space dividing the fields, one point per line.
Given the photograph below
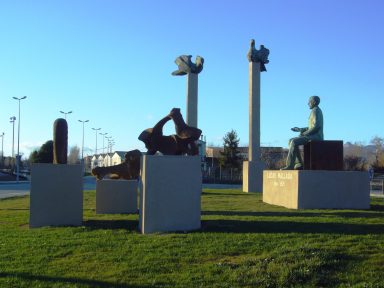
x=230 y=157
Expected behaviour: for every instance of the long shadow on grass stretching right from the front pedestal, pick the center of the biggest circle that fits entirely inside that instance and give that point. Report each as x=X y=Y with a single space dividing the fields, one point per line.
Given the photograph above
x=237 y=226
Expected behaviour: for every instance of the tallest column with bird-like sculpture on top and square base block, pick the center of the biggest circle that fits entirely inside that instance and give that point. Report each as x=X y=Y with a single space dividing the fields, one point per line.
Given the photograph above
x=253 y=168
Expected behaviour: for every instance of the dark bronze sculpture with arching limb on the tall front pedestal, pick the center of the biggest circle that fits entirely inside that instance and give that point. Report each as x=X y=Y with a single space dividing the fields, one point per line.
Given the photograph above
x=183 y=142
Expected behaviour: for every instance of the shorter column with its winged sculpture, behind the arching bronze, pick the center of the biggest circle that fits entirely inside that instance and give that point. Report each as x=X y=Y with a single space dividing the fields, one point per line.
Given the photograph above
x=192 y=70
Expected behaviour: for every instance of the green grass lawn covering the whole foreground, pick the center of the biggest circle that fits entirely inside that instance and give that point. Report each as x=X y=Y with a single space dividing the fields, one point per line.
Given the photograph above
x=243 y=243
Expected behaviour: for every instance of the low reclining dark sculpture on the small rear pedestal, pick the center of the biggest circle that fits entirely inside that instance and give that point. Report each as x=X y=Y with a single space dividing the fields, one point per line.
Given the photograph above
x=128 y=170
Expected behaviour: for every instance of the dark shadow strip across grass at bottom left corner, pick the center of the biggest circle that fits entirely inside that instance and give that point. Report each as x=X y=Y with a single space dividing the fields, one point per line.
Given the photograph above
x=63 y=280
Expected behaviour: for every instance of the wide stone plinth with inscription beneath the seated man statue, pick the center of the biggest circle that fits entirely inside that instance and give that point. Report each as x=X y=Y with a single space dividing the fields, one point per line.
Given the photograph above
x=316 y=189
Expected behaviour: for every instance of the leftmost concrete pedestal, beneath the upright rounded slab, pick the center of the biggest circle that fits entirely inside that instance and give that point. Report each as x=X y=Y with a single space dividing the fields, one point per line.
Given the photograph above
x=56 y=197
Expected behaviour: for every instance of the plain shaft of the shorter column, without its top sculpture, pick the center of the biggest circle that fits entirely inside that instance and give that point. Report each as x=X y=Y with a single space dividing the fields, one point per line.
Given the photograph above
x=192 y=96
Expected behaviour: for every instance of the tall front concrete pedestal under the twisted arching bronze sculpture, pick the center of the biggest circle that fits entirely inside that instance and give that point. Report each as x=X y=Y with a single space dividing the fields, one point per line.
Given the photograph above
x=170 y=191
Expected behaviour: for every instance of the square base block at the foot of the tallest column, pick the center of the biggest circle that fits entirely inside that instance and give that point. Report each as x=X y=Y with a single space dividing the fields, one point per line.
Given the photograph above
x=253 y=176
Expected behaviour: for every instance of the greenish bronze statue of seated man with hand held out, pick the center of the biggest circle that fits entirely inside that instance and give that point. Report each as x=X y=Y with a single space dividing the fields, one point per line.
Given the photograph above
x=314 y=131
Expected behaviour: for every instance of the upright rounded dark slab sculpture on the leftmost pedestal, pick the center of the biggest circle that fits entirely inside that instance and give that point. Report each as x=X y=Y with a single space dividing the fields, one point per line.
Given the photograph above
x=60 y=141
